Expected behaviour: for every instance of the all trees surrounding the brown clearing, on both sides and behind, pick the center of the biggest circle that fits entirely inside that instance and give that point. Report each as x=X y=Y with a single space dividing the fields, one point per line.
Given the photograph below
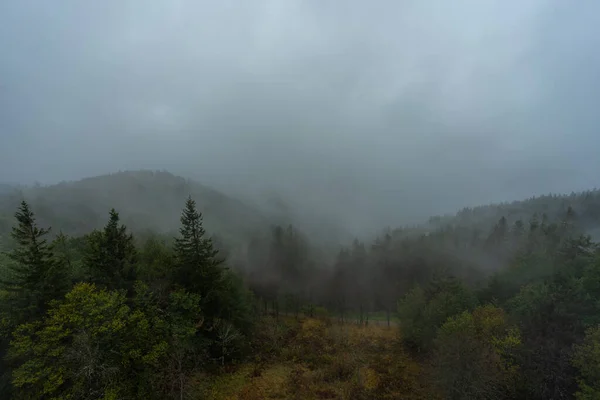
x=511 y=311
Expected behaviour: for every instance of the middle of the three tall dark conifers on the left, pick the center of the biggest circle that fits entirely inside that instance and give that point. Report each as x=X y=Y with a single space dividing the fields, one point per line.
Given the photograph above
x=111 y=255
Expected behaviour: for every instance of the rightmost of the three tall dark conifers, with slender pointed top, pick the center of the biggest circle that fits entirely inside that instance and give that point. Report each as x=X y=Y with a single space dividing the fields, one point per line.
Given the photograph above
x=198 y=267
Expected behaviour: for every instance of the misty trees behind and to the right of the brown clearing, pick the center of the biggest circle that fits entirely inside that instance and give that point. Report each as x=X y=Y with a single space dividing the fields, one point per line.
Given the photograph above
x=511 y=312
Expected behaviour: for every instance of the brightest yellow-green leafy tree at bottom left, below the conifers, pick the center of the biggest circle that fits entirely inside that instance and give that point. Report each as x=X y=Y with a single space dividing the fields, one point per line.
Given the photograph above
x=61 y=356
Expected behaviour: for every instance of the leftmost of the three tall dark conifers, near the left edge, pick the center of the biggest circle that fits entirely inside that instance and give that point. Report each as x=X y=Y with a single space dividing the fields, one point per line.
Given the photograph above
x=35 y=275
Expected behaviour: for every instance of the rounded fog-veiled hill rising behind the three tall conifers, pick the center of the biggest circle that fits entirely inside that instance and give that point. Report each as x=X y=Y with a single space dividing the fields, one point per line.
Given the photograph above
x=146 y=200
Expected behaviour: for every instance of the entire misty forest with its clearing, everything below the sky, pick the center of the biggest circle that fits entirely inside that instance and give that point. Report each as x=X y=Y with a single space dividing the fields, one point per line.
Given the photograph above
x=496 y=302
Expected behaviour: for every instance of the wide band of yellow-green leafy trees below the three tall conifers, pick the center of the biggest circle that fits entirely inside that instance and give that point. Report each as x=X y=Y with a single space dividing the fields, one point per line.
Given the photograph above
x=96 y=345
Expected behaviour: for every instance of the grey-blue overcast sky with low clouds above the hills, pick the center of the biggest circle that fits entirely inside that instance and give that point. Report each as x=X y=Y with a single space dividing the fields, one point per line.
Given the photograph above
x=398 y=109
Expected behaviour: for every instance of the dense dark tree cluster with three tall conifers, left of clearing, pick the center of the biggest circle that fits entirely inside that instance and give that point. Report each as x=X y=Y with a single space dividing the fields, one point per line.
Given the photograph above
x=97 y=318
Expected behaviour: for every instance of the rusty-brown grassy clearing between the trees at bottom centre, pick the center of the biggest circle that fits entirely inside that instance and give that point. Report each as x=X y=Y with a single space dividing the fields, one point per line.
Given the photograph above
x=318 y=359
